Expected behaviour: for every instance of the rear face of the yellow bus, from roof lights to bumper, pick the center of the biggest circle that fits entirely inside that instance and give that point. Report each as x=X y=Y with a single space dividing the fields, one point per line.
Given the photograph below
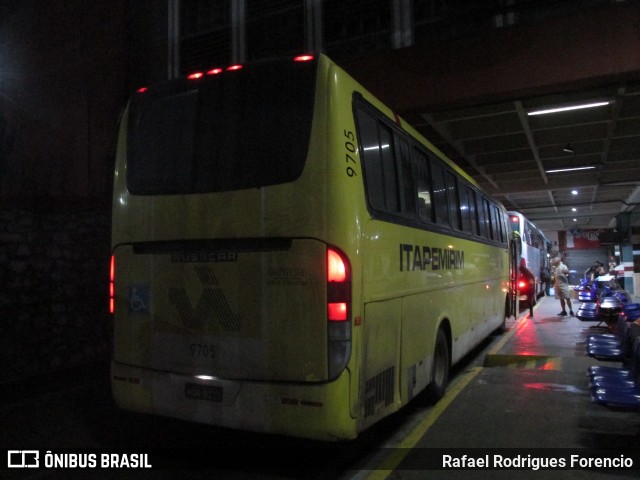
x=230 y=279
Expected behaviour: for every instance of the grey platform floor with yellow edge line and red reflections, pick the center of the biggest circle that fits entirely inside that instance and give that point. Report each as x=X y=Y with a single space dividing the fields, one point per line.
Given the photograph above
x=529 y=393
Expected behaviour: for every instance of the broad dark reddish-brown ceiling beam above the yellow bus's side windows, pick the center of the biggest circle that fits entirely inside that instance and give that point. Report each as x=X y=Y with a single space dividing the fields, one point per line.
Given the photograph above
x=580 y=50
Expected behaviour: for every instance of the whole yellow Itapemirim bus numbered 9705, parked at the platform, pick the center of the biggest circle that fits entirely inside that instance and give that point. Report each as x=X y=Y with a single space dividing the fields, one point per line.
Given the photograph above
x=289 y=256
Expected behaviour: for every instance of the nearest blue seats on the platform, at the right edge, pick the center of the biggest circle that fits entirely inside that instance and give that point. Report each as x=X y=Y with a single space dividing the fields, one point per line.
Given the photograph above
x=616 y=387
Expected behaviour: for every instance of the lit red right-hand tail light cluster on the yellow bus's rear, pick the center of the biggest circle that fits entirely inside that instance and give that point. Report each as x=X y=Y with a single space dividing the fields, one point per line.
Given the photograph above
x=338 y=311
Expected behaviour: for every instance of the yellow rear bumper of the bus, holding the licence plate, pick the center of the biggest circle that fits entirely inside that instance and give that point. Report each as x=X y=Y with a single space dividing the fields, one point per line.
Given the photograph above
x=315 y=411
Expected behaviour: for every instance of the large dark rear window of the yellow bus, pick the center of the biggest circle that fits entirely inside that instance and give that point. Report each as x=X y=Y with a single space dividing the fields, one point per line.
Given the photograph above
x=244 y=129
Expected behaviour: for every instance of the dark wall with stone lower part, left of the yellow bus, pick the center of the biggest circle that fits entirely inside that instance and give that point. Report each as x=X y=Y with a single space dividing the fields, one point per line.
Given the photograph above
x=64 y=79
